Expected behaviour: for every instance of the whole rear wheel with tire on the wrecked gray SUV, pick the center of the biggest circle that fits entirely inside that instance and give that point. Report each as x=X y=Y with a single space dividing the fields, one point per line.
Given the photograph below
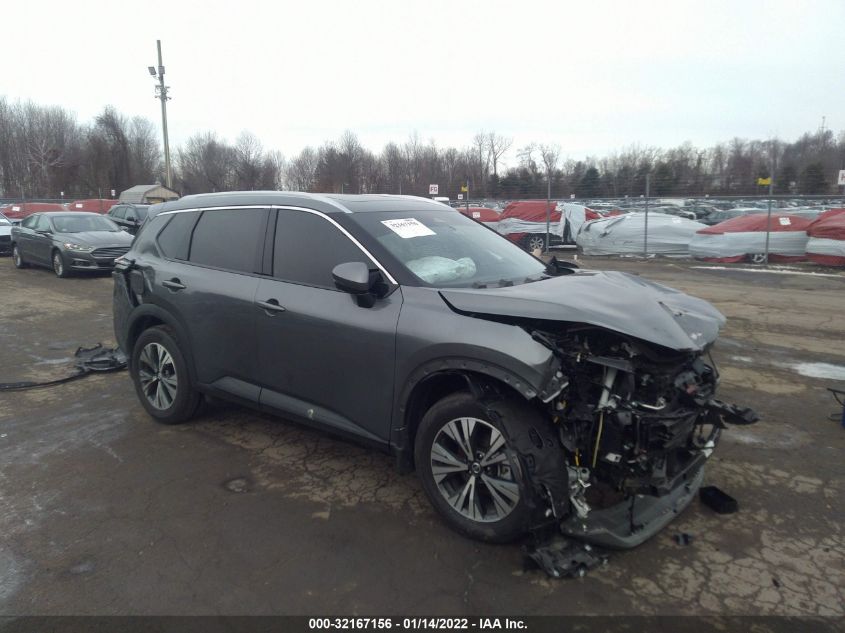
x=161 y=379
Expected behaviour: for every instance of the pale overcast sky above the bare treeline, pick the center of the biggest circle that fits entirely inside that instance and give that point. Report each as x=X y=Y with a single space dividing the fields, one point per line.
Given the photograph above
x=591 y=76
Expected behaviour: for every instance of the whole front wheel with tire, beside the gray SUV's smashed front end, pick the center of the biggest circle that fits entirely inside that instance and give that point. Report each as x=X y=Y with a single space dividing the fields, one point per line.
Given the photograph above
x=462 y=460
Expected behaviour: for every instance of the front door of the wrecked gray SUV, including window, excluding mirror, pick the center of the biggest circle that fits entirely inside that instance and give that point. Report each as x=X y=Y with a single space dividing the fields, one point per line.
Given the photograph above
x=321 y=356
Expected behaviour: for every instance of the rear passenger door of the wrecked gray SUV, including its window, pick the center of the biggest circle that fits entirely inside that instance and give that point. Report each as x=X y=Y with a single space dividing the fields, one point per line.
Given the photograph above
x=209 y=279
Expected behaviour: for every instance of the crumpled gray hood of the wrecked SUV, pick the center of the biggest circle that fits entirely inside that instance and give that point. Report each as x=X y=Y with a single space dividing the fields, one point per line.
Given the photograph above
x=617 y=301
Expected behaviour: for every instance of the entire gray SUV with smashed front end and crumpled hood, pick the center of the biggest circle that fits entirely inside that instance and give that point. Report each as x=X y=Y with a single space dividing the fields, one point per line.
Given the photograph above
x=524 y=394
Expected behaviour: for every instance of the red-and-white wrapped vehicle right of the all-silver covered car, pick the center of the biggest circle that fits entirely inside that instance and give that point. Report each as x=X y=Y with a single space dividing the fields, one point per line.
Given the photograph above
x=745 y=237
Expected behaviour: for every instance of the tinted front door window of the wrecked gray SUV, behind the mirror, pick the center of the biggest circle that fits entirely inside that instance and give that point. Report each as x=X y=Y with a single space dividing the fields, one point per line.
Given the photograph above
x=308 y=247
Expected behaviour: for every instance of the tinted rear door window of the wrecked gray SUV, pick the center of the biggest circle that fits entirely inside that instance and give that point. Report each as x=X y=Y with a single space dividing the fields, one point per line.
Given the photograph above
x=229 y=238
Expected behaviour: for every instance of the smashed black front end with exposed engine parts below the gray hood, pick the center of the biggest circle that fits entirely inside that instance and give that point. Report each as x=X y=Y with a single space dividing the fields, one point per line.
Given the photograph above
x=636 y=422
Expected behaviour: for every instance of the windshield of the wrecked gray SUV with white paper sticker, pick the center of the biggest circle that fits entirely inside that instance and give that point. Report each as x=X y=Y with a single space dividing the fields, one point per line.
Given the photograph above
x=445 y=248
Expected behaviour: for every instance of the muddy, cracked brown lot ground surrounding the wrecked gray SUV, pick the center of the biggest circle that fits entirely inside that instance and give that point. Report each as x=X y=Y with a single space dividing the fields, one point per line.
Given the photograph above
x=103 y=511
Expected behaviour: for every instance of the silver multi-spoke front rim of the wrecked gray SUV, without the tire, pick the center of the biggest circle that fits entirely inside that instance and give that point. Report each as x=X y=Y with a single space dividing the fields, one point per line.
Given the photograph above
x=472 y=470
